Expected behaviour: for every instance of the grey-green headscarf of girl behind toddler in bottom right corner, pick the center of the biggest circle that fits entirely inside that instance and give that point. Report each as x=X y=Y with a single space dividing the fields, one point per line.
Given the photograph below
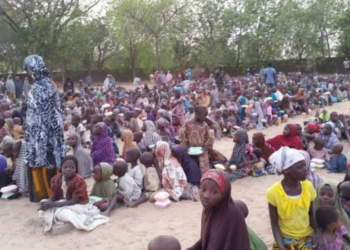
x=344 y=217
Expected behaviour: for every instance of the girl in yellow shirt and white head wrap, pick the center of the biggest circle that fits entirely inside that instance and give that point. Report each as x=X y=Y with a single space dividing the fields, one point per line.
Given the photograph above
x=290 y=202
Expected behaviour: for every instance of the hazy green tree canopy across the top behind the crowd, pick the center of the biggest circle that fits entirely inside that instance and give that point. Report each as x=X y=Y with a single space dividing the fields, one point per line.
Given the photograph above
x=141 y=36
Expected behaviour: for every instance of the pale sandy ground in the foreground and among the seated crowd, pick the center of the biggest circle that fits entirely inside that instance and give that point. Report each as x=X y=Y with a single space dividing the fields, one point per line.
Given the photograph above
x=132 y=229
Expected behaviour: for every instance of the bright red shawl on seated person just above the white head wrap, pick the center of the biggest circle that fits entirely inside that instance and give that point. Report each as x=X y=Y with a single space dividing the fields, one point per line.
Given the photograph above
x=292 y=141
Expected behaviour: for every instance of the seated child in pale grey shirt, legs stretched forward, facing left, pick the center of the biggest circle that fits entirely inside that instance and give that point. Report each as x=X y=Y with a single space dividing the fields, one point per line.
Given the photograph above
x=128 y=190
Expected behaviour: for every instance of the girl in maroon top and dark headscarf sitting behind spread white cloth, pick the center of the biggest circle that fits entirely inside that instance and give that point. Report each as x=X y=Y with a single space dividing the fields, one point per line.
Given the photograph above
x=73 y=184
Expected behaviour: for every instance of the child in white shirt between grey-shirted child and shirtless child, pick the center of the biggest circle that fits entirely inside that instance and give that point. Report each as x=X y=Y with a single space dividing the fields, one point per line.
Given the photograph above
x=132 y=155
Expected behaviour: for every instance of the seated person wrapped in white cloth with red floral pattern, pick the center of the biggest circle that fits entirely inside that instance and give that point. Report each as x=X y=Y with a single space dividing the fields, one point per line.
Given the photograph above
x=174 y=179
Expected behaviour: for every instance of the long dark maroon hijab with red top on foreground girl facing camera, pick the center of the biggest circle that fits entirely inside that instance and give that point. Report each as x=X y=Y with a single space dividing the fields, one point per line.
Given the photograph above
x=224 y=223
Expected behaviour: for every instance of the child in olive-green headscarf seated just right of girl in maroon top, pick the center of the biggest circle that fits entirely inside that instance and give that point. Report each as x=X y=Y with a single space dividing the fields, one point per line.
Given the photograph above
x=104 y=186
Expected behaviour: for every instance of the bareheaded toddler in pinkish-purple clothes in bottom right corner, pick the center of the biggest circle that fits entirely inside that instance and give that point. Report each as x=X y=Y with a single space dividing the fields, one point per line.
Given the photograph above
x=329 y=221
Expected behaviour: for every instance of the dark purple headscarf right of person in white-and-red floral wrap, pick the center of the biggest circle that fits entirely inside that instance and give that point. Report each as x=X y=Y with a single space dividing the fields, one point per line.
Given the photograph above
x=189 y=165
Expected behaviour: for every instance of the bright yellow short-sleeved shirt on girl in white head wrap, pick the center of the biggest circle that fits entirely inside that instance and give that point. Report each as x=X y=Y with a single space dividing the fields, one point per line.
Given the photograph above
x=293 y=214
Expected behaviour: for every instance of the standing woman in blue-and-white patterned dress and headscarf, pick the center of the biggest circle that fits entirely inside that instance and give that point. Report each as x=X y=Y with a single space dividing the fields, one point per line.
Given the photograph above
x=44 y=130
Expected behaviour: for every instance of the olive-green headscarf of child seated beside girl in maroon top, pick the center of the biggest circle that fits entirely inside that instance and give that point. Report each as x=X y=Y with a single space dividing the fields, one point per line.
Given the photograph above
x=104 y=188
